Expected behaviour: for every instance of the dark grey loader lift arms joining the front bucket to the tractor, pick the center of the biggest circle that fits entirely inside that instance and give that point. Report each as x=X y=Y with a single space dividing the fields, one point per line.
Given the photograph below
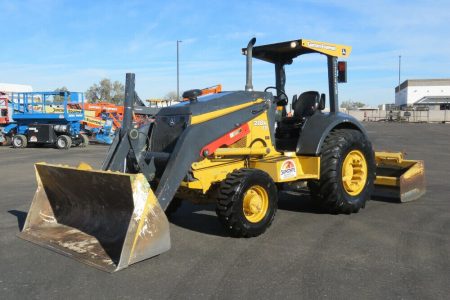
x=130 y=142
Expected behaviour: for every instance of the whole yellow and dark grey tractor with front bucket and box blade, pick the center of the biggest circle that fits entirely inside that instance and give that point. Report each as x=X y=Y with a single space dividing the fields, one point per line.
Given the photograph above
x=237 y=149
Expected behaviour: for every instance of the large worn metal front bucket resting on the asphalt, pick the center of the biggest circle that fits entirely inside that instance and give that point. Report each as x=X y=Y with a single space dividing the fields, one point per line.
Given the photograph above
x=108 y=220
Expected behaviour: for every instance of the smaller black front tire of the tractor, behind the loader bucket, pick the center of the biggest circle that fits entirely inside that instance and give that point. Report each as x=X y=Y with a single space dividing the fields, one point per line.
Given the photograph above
x=230 y=202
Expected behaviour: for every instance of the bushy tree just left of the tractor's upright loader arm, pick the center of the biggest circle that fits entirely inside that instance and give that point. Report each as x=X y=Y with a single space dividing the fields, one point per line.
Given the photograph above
x=106 y=90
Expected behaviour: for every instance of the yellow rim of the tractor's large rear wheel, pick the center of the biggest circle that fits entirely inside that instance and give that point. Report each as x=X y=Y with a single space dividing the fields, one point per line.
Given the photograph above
x=354 y=172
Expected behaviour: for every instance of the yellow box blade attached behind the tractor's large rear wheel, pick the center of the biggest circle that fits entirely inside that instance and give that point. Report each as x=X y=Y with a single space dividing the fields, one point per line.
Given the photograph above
x=397 y=178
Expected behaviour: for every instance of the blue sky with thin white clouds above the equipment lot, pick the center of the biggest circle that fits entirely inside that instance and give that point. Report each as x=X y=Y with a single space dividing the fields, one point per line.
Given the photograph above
x=49 y=44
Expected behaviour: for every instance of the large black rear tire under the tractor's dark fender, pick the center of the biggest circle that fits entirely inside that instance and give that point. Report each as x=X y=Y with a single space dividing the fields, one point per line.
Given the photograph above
x=330 y=191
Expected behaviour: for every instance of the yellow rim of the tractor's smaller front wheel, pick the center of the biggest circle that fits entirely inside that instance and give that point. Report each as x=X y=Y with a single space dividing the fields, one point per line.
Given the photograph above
x=255 y=204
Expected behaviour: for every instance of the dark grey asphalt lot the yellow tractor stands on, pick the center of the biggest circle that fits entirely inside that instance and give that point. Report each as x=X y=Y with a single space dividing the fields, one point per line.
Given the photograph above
x=386 y=251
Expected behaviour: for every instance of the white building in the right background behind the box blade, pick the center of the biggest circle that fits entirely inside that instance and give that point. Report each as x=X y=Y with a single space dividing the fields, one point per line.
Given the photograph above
x=433 y=93
